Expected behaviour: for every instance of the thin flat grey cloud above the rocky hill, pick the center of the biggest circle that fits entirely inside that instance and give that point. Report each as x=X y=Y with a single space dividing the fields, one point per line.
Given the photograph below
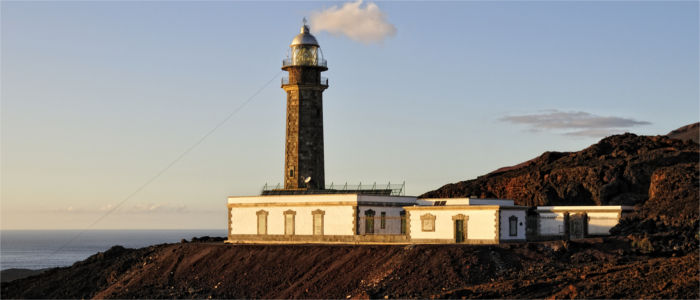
x=575 y=123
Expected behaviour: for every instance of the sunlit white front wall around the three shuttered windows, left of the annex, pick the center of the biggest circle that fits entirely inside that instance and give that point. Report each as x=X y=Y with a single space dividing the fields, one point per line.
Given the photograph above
x=337 y=220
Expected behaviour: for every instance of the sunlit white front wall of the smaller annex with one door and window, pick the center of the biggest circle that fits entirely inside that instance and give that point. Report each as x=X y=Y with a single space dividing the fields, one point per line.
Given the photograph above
x=480 y=226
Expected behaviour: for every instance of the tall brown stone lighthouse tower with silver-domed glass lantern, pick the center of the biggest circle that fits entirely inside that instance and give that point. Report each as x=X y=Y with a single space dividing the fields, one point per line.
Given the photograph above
x=303 y=163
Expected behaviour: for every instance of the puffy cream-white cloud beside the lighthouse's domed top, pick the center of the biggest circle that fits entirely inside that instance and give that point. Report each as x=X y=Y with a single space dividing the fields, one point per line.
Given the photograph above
x=365 y=24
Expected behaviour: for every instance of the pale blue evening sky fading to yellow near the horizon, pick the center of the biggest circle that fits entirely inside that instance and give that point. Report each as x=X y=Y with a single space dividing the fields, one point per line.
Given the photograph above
x=115 y=114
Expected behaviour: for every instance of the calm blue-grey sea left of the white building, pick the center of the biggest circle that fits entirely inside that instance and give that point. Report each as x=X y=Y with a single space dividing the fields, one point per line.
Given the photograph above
x=39 y=249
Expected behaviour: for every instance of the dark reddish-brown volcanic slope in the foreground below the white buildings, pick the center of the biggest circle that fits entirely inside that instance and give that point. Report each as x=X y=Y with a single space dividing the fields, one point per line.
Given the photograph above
x=595 y=268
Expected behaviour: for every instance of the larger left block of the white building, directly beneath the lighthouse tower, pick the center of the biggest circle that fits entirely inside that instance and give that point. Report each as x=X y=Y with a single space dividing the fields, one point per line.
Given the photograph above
x=318 y=218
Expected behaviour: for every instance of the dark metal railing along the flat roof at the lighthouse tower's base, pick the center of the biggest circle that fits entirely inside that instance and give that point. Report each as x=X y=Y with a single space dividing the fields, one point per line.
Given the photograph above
x=364 y=189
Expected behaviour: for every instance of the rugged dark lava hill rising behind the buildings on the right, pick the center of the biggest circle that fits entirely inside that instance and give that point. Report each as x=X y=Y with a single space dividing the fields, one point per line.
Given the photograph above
x=617 y=170
